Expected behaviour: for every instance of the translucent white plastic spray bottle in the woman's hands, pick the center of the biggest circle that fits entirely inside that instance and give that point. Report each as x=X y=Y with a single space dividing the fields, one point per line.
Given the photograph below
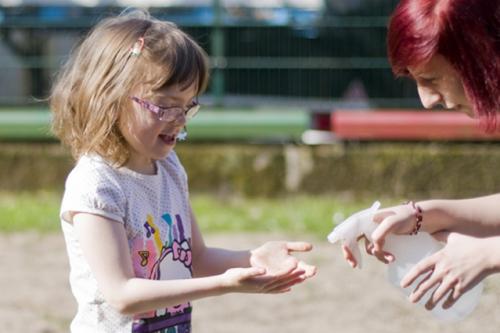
x=408 y=251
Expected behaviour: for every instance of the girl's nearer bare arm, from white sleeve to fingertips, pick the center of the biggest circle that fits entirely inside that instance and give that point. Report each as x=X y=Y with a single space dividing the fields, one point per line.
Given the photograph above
x=105 y=247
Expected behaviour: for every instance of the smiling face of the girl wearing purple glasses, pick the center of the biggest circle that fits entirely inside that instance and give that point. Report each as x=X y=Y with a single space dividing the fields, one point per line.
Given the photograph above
x=150 y=138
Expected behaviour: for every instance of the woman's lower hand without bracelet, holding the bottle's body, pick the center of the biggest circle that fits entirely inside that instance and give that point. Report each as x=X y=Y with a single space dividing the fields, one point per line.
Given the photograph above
x=458 y=267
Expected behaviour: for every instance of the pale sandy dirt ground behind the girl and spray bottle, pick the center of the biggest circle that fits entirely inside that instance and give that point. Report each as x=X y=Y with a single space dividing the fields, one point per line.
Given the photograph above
x=35 y=295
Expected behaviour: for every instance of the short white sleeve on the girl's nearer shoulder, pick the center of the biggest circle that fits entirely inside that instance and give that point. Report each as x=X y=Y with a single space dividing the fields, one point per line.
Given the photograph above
x=93 y=191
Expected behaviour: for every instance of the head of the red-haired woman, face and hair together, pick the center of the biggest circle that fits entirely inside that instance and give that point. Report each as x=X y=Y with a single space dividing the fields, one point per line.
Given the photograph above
x=451 y=48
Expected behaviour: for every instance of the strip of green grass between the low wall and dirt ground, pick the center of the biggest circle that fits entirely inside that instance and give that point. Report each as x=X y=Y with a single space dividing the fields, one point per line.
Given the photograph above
x=38 y=211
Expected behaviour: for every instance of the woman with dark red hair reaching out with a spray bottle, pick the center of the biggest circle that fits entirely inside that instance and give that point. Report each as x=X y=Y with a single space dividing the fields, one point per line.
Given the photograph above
x=451 y=48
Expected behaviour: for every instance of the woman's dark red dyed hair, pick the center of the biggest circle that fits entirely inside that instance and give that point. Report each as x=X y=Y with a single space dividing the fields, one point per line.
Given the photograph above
x=465 y=32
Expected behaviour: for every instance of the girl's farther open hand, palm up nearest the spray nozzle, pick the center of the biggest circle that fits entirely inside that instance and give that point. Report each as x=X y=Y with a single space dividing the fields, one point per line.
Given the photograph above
x=275 y=257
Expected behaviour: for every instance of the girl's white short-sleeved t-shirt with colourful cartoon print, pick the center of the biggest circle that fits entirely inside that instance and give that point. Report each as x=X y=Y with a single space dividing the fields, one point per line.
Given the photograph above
x=154 y=210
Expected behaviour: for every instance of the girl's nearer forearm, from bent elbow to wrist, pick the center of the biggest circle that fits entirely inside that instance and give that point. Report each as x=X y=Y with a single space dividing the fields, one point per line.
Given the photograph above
x=142 y=295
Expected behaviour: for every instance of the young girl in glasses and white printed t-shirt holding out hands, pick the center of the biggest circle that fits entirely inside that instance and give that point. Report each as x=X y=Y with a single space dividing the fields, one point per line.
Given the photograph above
x=136 y=253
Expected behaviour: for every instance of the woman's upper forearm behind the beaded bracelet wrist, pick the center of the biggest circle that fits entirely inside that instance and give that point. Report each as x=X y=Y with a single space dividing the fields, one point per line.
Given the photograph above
x=476 y=216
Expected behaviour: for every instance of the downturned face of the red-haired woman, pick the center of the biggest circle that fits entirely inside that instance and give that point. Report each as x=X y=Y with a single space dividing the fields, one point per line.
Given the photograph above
x=438 y=83
